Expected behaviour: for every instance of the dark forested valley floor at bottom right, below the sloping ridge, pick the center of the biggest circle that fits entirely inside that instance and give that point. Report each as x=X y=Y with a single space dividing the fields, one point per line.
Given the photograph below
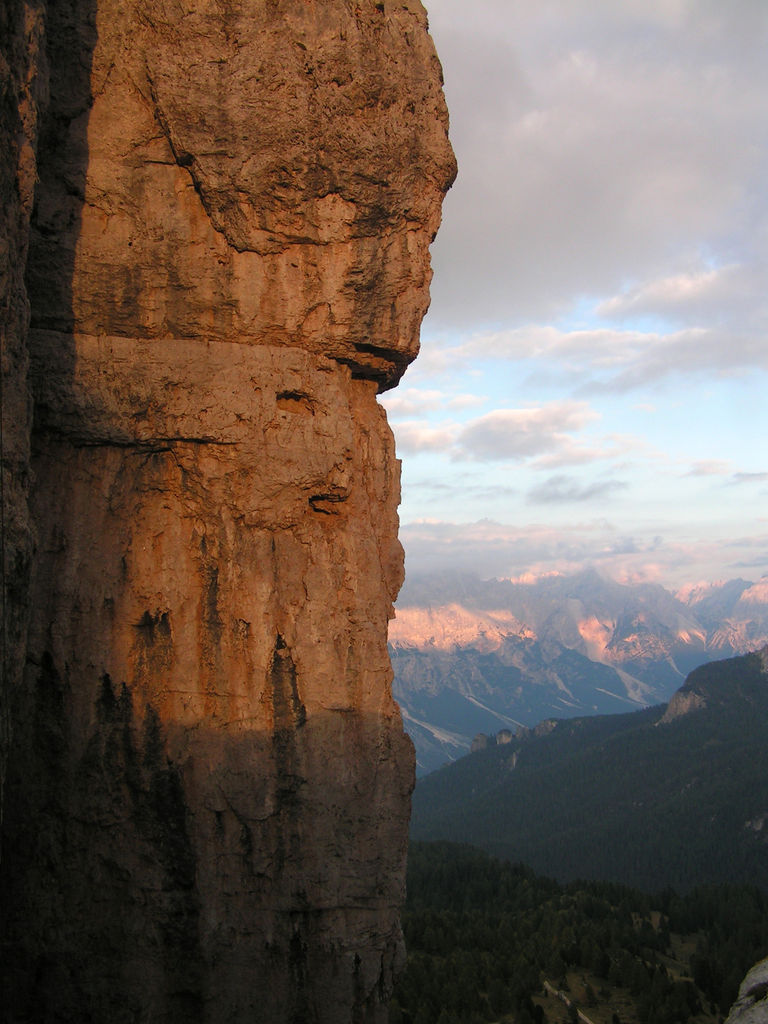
x=484 y=936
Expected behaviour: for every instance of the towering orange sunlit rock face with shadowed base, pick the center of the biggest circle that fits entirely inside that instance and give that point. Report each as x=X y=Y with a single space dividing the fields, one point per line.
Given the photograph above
x=208 y=782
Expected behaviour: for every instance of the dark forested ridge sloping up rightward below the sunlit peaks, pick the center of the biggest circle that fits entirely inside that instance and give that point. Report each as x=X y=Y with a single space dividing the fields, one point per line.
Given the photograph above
x=674 y=796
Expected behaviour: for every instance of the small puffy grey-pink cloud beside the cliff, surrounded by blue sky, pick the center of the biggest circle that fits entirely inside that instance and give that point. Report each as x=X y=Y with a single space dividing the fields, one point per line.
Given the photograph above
x=520 y=434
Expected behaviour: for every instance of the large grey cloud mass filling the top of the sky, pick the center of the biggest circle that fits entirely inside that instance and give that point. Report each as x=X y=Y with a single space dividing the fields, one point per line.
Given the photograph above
x=596 y=144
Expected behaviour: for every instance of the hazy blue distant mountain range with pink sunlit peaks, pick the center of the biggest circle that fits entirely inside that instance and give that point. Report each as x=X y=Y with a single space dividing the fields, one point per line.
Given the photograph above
x=473 y=656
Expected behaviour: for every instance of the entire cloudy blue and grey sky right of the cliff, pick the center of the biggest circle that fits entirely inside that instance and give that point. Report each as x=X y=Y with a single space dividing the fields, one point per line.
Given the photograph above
x=591 y=389
